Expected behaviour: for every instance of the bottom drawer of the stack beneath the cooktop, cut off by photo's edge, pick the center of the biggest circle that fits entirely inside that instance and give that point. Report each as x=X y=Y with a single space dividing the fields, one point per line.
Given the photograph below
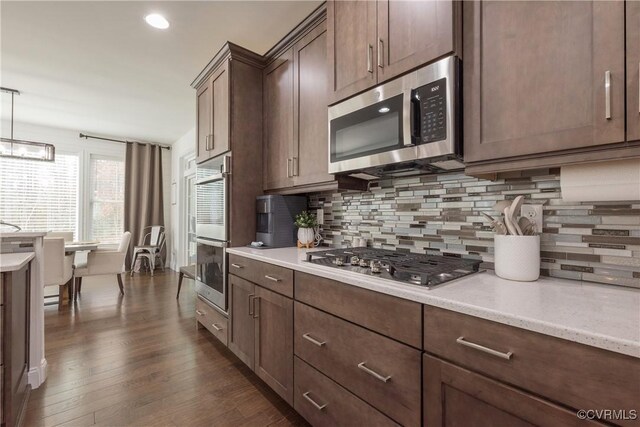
x=322 y=402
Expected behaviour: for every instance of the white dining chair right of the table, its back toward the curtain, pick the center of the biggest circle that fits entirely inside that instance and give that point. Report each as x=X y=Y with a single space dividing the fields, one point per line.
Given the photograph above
x=103 y=262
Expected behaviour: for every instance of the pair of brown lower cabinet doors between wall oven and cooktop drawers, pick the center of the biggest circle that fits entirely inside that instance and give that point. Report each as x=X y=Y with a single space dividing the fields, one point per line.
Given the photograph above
x=261 y=333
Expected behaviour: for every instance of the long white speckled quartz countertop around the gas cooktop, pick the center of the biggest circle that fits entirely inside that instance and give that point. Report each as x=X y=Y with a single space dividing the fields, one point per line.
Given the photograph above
x=602 y=316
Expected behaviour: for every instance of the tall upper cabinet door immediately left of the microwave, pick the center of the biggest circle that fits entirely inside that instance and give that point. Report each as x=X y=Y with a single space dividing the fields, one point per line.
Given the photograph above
x=311 y=151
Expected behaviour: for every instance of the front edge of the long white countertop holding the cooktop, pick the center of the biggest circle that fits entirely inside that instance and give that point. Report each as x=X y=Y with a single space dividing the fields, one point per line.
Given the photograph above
x=605 y=342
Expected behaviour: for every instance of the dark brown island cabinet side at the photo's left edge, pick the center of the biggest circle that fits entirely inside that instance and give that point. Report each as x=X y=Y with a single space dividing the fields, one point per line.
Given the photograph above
x=14 y=361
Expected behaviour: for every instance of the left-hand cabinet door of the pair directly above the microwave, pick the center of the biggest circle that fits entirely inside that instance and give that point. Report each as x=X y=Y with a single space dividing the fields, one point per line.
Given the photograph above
x=351 y=33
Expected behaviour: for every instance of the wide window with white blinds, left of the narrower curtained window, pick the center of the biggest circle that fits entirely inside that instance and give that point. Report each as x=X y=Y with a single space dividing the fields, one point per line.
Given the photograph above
x=40 y=195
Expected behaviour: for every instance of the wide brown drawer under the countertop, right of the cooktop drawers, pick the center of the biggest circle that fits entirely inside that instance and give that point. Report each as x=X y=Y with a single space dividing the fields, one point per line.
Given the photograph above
x=576 y=375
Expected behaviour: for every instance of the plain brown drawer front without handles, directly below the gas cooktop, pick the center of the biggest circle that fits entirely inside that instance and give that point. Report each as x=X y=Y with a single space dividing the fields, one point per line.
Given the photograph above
x=394 y=317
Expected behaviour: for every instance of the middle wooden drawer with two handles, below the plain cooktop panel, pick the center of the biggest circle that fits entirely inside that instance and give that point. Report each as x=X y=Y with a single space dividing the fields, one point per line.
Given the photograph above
x=381 y=371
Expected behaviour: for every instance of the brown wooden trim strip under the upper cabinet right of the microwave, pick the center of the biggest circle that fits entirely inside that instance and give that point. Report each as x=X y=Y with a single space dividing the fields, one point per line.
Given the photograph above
x=620 y=151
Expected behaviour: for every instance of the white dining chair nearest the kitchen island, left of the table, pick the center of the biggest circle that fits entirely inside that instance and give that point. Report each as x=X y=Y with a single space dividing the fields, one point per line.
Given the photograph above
x=58 y=267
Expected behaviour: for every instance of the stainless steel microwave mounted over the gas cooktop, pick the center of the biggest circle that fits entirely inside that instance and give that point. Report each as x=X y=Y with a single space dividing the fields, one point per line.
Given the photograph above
x=406 y=126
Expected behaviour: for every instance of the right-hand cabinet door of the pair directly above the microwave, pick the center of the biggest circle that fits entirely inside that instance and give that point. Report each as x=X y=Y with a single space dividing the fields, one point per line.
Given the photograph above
x=412 y=33
